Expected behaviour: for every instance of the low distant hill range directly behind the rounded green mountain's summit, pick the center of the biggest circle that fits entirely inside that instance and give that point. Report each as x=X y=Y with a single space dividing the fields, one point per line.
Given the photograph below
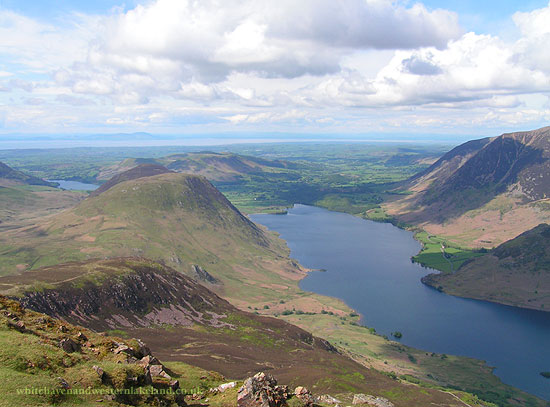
x=214 y=166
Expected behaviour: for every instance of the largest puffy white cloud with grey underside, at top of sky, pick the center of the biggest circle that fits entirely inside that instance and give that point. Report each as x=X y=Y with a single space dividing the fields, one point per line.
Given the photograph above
x=171 y=46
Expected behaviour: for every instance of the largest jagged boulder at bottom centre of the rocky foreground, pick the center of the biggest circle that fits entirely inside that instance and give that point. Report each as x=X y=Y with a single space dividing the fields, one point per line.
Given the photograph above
x=260 y=391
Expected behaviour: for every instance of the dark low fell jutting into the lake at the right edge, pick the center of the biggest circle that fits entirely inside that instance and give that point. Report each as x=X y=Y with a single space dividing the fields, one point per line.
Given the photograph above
x=516 y=273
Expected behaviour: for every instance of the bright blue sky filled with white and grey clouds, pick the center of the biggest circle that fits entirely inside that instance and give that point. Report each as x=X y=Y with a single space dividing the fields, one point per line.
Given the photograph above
x=338 y=68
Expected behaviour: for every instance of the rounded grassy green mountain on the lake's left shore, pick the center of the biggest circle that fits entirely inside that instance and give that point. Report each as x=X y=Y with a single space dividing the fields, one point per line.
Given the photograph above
x=181 y=220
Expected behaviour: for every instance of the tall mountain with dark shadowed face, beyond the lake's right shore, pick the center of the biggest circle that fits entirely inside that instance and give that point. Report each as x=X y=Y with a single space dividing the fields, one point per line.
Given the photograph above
x=483 y=192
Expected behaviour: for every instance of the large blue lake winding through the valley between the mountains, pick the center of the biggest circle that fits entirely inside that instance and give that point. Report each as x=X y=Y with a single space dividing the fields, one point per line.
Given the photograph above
x=368 y=265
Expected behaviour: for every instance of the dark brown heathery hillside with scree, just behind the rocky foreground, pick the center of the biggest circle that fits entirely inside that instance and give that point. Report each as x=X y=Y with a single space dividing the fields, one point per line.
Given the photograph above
x=183 y=321
